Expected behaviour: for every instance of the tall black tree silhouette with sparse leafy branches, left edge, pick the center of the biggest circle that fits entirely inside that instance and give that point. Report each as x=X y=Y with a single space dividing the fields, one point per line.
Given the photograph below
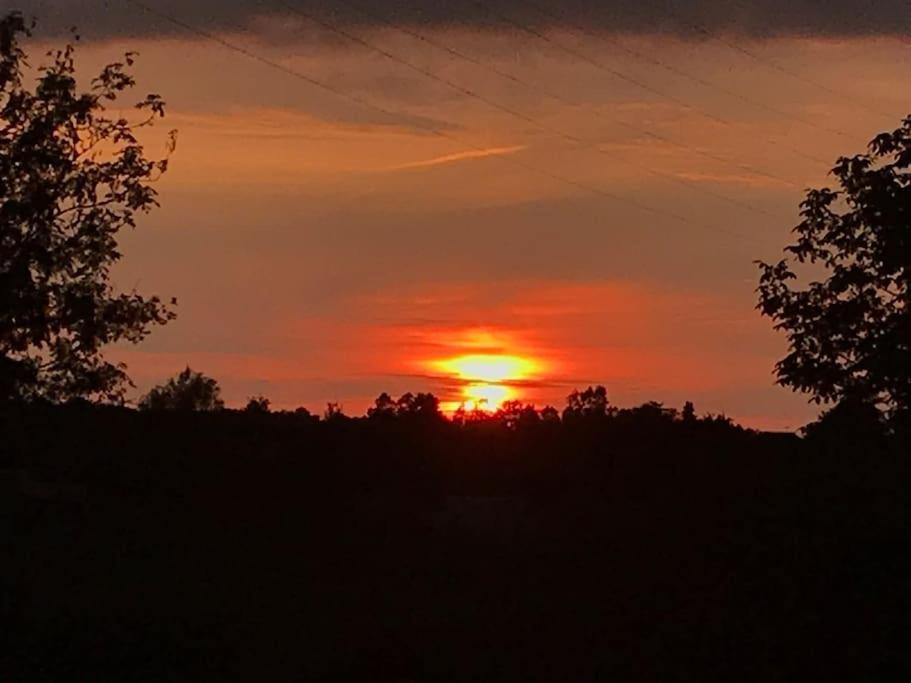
x=71 y=179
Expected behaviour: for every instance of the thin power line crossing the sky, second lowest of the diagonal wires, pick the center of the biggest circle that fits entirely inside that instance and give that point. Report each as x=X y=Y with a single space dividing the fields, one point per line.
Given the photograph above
x=569 y=137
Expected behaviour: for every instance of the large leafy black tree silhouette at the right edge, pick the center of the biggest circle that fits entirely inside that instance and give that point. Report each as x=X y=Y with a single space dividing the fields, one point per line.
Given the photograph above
x=849 y=331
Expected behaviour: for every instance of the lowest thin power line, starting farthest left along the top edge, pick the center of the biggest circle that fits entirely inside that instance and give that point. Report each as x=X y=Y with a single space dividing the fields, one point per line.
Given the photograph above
x=434 y=131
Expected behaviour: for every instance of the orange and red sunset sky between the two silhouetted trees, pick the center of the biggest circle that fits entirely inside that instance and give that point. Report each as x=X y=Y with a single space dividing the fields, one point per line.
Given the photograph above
x=582 y=189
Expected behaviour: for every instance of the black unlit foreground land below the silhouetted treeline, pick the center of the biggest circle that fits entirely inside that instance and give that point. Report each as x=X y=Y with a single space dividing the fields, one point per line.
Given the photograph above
x=271 y=547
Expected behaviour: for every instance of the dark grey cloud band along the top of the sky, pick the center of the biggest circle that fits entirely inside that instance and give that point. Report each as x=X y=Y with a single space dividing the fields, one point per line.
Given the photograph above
x=111 y=18
